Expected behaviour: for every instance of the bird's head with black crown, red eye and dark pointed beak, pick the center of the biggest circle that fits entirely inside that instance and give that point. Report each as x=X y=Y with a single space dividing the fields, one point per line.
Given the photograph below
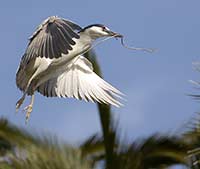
x=97 y=31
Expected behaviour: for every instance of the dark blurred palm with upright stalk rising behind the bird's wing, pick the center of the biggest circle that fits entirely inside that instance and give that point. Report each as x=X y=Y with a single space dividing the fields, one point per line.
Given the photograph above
x=153 y=152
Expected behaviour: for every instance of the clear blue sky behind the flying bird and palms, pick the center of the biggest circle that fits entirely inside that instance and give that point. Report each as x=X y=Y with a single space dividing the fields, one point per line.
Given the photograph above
x=155 y=84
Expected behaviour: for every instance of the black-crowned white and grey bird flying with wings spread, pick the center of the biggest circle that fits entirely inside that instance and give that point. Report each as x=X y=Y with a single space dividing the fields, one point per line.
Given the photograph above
x=54 y=64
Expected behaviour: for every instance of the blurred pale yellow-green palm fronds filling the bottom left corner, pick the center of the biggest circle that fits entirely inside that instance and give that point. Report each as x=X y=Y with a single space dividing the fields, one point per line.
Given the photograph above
x=19 y=149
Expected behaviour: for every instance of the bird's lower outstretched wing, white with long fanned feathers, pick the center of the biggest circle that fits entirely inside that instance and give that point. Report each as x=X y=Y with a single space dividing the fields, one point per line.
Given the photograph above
x=79 y=81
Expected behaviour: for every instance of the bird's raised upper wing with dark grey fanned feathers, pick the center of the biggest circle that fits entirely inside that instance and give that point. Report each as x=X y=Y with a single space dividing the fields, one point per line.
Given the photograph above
x=52 y=38
